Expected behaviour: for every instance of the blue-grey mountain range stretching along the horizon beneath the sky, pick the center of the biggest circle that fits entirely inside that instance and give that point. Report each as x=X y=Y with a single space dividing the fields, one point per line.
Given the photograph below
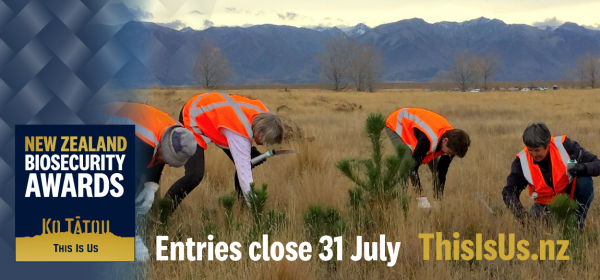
x=412 y=50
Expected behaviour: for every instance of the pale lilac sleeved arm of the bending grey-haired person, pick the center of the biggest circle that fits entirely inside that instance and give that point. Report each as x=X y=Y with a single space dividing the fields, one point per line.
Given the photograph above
x=240 y=148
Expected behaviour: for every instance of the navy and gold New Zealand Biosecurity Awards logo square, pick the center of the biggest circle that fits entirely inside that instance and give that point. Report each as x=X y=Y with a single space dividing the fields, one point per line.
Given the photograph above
x=75 y=193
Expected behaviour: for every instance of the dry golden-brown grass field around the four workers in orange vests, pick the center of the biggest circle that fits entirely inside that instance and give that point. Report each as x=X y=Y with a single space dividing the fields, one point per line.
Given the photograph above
x=495 y=122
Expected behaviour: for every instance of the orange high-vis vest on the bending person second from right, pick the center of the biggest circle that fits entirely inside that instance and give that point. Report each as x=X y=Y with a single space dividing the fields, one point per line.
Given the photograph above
x=404 y=120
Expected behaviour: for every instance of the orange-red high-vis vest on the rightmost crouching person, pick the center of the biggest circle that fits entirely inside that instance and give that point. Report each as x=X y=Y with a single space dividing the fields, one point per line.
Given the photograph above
x=560 y=178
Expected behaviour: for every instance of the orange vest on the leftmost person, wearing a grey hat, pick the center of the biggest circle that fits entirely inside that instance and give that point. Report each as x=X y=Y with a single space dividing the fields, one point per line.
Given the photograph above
x=150 y=123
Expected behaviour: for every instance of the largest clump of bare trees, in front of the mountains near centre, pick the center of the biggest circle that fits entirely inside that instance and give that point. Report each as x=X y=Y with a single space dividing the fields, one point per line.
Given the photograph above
x=344 y=61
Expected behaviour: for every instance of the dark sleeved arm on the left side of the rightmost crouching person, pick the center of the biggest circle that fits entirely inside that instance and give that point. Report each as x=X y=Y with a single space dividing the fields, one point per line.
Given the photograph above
x=515 y=184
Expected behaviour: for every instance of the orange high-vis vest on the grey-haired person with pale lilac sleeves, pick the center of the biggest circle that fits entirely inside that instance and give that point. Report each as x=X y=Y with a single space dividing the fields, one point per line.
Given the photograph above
x=207 y=112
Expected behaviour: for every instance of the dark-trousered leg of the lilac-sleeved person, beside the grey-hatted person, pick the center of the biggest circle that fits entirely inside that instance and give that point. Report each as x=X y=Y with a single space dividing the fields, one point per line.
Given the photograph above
x=194 y=172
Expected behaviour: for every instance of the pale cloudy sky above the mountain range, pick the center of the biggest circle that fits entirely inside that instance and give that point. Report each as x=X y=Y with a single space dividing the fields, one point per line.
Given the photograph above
x=200 y=15
